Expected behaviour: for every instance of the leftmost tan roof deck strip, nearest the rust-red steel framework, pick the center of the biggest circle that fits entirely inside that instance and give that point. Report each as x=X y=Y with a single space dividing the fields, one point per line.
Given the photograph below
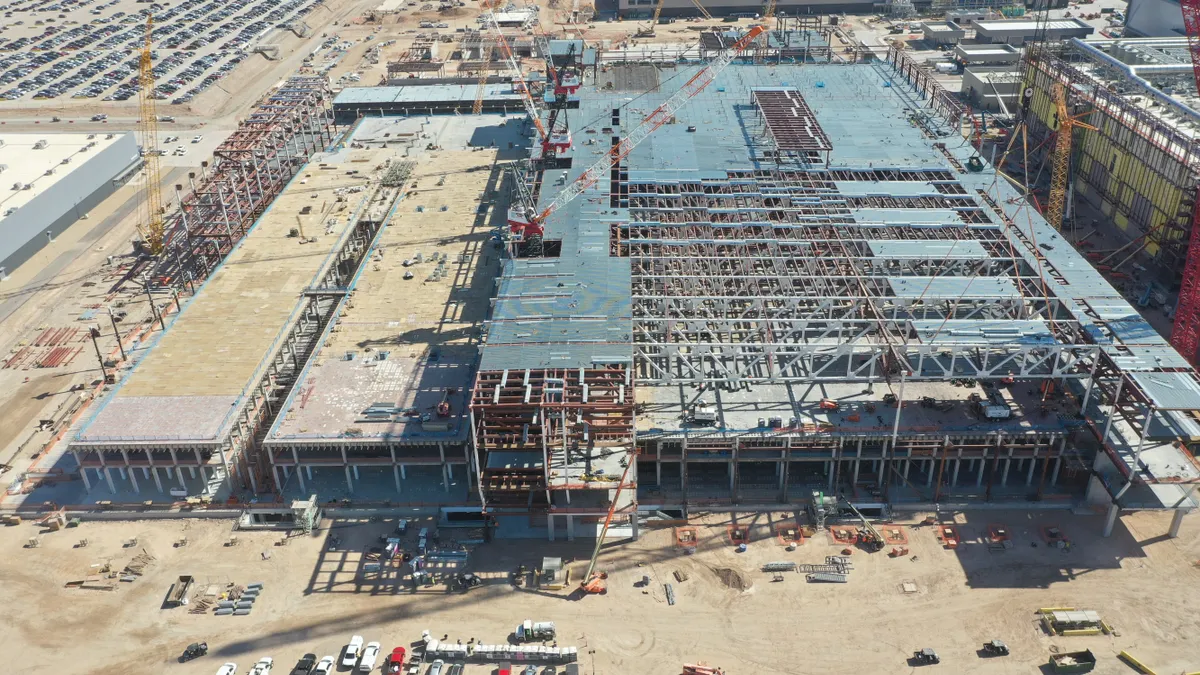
x=197 y=375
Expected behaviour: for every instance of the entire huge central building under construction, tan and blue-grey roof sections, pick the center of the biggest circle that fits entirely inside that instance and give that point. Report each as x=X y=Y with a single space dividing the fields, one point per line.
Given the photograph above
x=806 y=280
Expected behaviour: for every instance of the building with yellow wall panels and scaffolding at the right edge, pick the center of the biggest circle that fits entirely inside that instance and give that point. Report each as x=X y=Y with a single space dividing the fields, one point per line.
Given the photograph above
x=1137 y=169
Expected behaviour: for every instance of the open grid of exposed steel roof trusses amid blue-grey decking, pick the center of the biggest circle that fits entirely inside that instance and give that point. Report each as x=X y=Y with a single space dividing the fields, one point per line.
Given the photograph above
x=766 y=277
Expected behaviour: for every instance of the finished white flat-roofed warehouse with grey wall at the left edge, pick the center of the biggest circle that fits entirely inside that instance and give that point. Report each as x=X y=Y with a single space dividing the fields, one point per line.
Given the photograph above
x=50 y=181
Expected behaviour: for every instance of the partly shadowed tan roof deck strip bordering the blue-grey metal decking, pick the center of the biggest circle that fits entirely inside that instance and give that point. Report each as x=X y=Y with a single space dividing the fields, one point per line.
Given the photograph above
x=404 y=343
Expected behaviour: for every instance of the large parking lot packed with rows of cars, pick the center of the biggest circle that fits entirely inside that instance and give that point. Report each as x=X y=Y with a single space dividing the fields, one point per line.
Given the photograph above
x=88 y=50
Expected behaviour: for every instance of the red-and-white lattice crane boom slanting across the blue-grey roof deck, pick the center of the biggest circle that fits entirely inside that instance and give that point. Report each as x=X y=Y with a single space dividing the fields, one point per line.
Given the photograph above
x=659 y=117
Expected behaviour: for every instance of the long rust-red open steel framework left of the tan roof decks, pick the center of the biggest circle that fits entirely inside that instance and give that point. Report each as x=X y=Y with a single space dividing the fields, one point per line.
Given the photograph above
x=248 y=172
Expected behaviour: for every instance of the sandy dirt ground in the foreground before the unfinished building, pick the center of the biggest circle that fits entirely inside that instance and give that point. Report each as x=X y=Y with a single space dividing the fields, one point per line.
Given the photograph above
x=314 y=601
